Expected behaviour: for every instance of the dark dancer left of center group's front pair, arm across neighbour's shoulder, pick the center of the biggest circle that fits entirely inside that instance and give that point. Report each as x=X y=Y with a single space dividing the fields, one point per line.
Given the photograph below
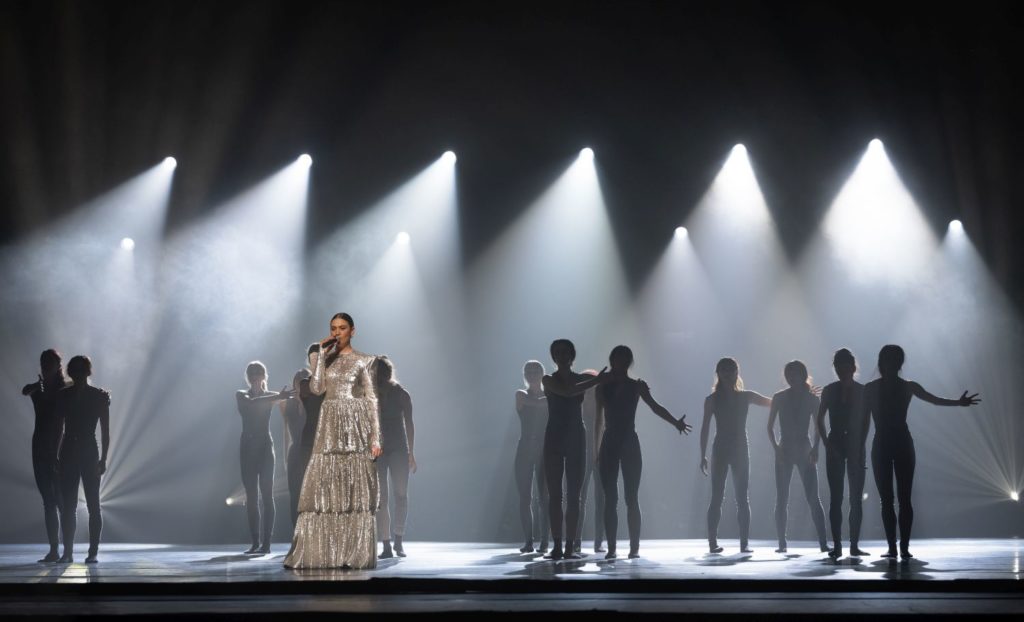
x=566 y=445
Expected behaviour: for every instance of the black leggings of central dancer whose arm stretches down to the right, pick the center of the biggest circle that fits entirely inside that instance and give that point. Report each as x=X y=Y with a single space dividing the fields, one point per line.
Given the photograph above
x=625 y=452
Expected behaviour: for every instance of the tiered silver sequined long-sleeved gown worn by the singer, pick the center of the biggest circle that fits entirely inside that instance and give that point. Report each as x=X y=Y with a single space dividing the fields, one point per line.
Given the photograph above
x=340 y=491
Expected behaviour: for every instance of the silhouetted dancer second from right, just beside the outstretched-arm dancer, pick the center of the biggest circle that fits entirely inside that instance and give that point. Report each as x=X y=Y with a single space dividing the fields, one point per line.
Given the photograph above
x=844 y=401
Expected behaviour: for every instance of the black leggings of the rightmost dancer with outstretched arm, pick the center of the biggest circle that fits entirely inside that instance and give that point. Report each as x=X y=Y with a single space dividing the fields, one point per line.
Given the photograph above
x=893 y=453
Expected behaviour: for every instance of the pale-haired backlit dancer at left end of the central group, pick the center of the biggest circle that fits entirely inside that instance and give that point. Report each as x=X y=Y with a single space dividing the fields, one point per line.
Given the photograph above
x=532 y=408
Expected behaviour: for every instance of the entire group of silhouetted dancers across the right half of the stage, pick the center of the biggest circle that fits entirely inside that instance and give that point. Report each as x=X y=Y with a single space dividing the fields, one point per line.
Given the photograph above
x=554 y=445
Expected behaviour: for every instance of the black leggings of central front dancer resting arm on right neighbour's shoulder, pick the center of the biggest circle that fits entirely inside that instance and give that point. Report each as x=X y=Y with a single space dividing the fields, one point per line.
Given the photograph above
x=565 y=451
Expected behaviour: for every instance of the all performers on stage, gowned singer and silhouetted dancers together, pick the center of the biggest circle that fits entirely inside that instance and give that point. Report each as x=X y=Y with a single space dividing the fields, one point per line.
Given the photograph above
x=351 y=442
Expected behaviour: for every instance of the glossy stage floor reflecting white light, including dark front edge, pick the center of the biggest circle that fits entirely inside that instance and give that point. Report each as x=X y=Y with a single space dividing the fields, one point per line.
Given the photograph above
x=963 y=577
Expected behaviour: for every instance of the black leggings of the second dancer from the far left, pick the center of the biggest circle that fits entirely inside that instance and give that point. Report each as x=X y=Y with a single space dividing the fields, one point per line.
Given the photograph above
x=81 y=466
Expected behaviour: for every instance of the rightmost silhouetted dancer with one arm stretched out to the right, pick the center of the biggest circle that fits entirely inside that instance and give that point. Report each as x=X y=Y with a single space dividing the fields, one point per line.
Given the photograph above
x=888 y=400
